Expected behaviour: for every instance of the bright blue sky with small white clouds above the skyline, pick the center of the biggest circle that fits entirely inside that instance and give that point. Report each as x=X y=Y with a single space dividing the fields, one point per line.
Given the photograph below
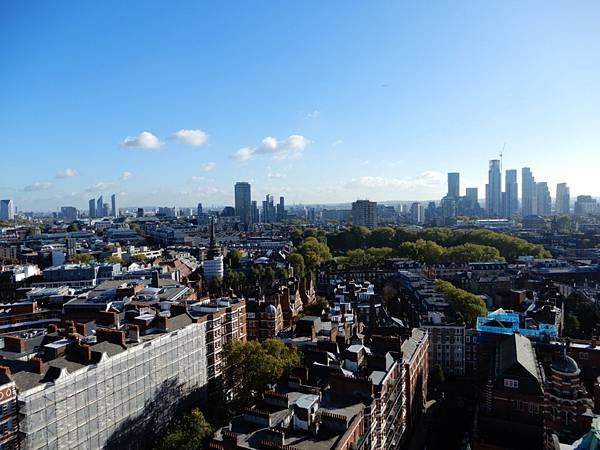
x=170 y=103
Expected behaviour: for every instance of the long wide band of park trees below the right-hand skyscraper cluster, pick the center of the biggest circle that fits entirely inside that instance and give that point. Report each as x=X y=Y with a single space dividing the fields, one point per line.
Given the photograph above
x=508 y=247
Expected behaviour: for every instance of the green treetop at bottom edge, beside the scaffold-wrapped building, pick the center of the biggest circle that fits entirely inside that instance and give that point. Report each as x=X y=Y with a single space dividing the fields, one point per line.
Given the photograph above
x=192 y=432
